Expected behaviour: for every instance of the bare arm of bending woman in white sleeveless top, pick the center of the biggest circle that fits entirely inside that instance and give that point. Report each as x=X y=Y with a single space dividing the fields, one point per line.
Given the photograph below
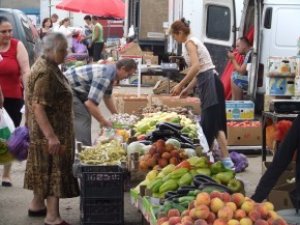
x=193 y=70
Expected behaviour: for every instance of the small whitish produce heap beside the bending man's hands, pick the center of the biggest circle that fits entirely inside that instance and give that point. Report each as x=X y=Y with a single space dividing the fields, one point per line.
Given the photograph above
x=123 y=121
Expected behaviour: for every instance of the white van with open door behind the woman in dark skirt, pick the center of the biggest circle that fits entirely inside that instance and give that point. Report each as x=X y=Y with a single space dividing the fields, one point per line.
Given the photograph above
x=215 y=22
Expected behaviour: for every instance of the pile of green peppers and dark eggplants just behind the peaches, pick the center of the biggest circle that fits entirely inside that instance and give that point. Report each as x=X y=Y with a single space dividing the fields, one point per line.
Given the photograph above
x=192 y=174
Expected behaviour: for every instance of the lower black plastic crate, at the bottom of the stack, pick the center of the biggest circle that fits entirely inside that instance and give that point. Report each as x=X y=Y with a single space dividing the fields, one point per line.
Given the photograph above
x=101 y=211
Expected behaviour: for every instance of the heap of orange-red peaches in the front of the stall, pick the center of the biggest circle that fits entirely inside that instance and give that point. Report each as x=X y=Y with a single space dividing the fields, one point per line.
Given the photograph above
x=222 y=209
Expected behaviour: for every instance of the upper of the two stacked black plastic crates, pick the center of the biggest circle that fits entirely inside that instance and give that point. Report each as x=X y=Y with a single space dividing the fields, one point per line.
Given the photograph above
x=102 y=182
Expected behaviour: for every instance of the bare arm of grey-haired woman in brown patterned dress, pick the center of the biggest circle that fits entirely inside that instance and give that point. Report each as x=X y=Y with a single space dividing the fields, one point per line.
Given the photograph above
x=46 y=128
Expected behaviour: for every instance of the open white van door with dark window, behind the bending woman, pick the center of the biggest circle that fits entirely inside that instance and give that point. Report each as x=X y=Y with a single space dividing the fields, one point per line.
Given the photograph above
x=218 y=29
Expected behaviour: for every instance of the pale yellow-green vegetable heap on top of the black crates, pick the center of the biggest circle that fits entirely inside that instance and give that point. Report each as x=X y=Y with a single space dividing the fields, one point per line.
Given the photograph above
x=111 y=153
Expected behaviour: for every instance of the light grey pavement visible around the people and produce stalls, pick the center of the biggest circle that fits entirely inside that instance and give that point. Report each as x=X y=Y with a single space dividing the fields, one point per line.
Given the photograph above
x=14 y=201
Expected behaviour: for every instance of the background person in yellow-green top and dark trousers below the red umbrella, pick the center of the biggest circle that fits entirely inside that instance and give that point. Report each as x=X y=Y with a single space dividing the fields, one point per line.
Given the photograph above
x=97 y=39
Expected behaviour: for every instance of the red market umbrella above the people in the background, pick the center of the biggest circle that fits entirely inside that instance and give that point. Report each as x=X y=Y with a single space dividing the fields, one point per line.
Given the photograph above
x=106 y=9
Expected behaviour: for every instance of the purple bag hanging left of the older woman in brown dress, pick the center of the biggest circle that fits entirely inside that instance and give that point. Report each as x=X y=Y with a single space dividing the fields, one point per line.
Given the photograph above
x=18 y=143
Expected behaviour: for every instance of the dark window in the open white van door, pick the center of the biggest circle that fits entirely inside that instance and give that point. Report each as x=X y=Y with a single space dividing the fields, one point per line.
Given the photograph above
x=218 y=22
